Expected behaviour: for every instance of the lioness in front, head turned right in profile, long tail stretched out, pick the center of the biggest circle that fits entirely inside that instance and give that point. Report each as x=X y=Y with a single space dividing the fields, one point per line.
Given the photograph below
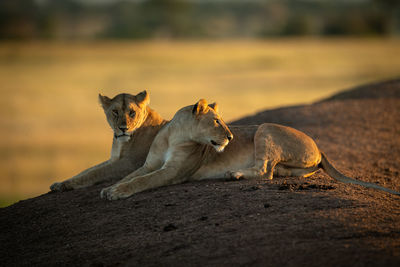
x=194 y=146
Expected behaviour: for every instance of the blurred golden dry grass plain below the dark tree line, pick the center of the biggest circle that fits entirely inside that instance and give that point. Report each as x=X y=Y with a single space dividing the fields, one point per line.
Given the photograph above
x=52 y=126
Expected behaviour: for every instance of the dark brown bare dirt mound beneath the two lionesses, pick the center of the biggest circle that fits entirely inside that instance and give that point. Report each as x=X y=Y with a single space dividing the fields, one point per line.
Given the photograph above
x=288 y=221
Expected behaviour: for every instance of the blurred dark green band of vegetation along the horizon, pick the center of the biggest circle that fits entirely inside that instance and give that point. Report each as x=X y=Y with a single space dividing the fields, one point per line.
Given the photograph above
x=143 y=19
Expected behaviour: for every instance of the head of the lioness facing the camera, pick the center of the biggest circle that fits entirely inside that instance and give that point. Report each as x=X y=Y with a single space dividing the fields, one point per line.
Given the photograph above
x=125 y=113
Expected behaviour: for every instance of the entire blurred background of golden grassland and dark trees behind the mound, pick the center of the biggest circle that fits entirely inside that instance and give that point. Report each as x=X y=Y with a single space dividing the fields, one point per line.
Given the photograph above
x=56 y=56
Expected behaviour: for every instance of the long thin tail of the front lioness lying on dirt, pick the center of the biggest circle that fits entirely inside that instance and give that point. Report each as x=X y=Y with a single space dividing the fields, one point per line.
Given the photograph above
x=335 y=174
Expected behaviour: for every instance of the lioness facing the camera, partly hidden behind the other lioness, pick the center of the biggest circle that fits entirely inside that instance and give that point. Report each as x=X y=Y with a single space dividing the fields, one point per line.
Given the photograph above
x=134 y=125
